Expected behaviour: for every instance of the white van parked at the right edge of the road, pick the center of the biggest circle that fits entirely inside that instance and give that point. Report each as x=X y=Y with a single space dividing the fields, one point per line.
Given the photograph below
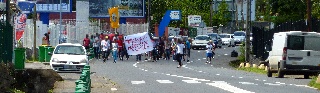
x=294 y=53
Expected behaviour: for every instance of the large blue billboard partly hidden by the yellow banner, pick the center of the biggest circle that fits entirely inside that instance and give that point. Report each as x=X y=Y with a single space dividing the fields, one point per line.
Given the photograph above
x=127 y=8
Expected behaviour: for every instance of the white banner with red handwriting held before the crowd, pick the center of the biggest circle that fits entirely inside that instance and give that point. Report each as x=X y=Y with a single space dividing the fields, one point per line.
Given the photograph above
x=138 y=43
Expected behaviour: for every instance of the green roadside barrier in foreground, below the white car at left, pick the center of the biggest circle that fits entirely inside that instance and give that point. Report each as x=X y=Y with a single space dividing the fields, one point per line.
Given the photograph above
x=83 y=85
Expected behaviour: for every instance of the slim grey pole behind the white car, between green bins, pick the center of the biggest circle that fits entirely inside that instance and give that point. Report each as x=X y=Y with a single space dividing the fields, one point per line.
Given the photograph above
x=34 y=30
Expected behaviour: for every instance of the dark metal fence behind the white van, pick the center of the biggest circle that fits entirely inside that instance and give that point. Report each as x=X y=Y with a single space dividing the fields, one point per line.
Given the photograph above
x=262 y=37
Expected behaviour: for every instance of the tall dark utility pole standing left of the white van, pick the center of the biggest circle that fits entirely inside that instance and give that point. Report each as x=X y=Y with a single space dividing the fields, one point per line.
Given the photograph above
x=248 y=30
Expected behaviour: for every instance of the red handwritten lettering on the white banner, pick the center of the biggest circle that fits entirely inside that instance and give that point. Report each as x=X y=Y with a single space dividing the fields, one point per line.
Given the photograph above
x=136 y=44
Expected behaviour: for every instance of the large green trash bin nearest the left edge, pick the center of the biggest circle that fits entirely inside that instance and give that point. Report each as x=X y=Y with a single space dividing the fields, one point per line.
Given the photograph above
x=19 y=58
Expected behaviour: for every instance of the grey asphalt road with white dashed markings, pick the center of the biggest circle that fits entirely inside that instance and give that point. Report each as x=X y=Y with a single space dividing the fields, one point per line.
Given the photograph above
x=195 y=77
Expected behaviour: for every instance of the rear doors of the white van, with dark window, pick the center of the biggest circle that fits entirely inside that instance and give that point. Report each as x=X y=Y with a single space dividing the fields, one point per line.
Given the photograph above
x=303 y=50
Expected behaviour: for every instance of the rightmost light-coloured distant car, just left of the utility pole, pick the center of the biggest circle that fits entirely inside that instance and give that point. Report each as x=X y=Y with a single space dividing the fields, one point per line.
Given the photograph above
x=239 y=37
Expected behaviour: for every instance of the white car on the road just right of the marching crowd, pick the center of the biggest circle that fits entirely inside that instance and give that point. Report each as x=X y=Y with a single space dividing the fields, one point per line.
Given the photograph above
x=200 y=41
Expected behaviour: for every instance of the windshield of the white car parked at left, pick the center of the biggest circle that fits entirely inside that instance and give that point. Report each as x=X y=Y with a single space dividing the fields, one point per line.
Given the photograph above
x=74 y=50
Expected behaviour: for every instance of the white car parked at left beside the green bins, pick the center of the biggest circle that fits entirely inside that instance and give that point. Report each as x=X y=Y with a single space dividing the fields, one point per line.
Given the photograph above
x=69 y=57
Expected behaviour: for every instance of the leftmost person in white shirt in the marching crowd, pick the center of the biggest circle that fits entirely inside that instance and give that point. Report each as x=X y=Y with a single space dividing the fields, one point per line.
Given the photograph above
x=105 y=47
